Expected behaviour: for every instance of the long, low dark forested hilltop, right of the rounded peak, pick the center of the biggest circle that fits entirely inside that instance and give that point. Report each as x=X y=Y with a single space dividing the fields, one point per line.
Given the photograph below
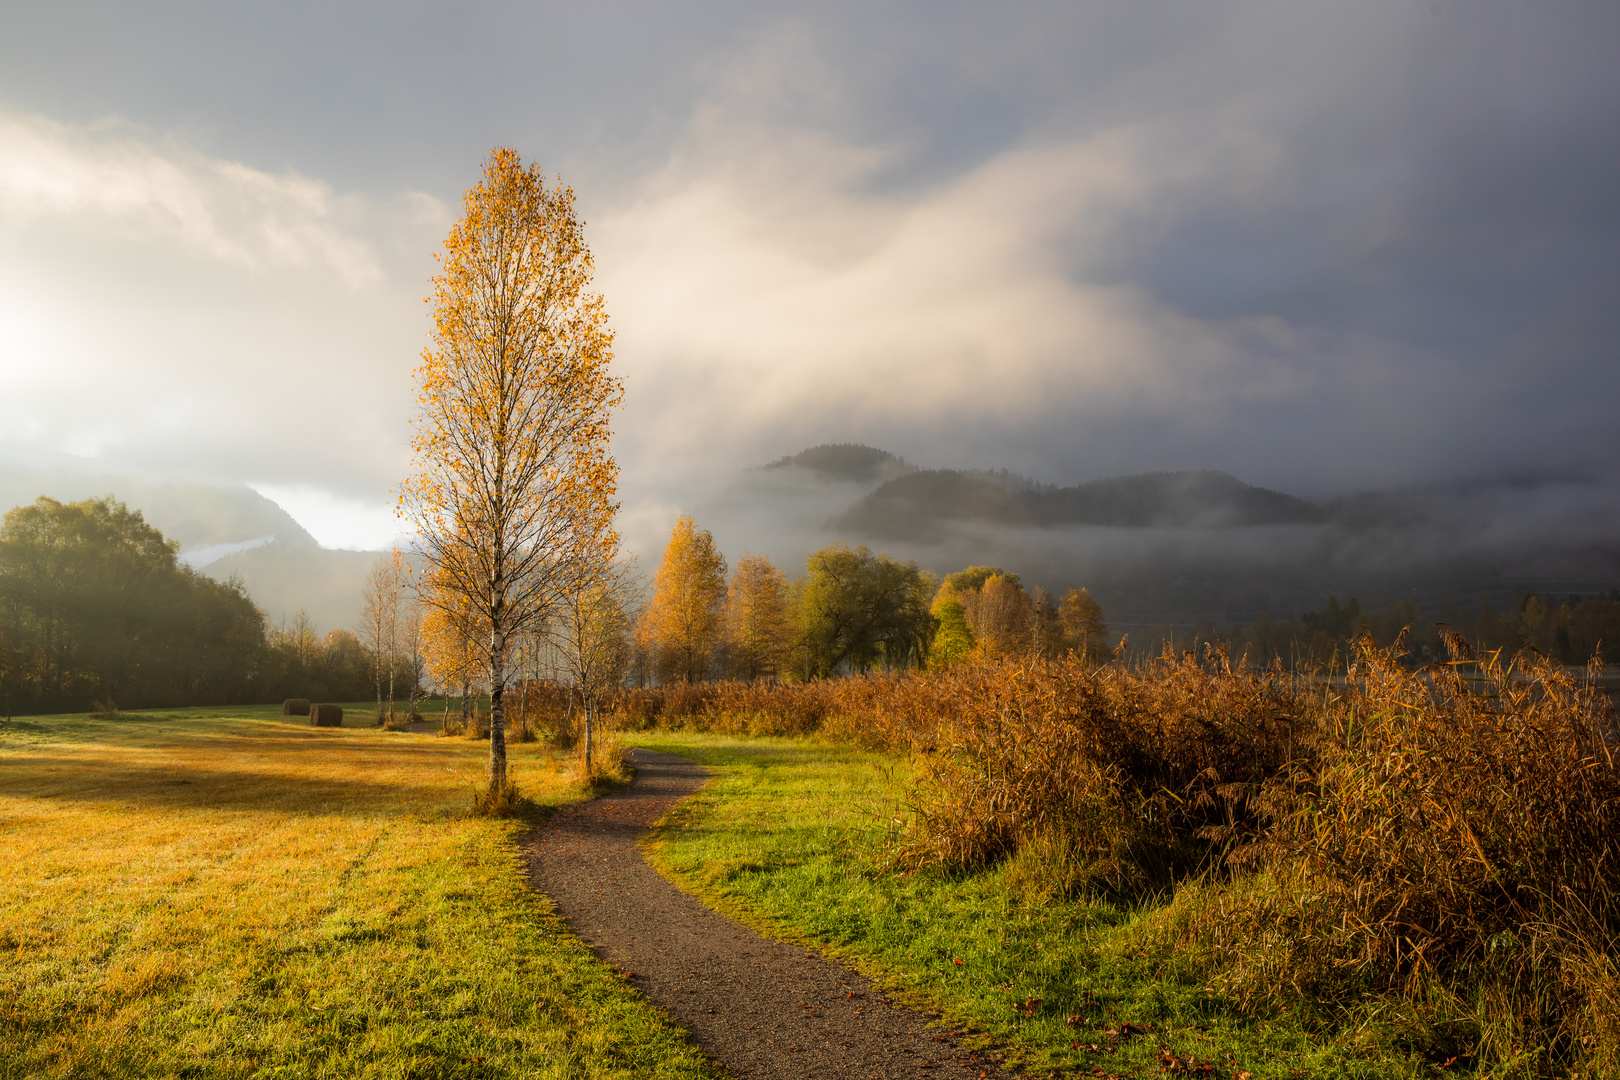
x=918 y=504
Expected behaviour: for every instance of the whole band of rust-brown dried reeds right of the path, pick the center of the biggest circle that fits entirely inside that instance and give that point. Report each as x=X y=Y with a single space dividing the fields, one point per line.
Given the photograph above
x=1430 y=853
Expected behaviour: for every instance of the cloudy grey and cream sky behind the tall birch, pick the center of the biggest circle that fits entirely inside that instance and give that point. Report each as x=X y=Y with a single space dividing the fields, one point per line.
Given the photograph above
x=1323 y=247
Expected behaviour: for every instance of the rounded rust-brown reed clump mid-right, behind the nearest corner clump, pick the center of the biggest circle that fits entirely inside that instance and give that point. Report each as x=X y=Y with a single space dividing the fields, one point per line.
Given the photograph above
x=1102 y=776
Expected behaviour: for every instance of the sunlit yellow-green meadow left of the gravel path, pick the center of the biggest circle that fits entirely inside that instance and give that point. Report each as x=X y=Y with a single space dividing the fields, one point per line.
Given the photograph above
x=228 y=893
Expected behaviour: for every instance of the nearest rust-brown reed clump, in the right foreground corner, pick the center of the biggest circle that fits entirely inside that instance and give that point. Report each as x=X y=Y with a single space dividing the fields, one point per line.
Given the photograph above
x=1452 y=841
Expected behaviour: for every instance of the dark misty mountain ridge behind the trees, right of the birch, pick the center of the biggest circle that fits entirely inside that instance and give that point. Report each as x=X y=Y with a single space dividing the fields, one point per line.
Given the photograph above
x=1187 y=548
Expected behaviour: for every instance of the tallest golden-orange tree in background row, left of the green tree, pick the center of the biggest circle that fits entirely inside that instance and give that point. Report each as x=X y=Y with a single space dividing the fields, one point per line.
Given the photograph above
x=681 y=626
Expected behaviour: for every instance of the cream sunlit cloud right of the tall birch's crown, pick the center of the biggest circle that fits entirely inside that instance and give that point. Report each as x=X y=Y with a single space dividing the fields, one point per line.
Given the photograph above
x=770 y=292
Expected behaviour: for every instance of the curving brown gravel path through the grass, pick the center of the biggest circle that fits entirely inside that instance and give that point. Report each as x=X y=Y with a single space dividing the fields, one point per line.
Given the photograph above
x=757 y=1006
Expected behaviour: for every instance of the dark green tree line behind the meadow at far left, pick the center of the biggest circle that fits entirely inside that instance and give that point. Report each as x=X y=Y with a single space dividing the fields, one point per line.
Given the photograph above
x=98 y=611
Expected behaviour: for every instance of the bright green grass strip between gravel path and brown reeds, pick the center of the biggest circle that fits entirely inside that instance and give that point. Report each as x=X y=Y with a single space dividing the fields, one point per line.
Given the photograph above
x=791 y=838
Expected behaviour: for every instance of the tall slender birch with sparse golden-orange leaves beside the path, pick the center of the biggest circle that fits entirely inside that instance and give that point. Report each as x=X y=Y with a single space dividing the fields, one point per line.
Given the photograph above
x=513 y=485
